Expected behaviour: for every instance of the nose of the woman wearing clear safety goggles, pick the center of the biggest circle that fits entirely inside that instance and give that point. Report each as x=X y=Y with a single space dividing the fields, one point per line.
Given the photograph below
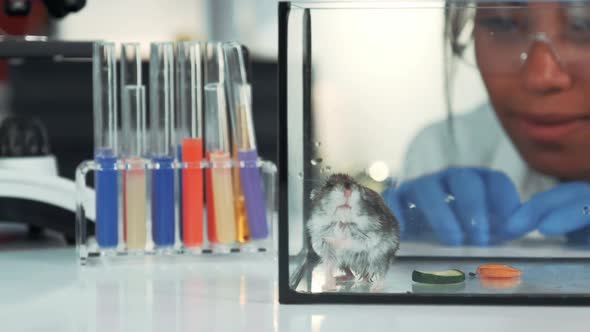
x=543 y=73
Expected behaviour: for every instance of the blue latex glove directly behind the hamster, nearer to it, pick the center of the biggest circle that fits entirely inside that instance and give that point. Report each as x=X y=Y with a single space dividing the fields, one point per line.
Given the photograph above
x=457 y=206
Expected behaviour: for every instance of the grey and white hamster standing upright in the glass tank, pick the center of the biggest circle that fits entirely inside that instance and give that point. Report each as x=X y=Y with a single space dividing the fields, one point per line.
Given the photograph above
x=352 y=229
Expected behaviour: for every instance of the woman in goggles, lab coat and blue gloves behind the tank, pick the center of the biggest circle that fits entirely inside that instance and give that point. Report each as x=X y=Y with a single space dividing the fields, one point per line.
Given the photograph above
x=532 y=142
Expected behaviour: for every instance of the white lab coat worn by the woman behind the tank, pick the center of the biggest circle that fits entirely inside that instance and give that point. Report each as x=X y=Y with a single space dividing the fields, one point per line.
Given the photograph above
x=479 y=141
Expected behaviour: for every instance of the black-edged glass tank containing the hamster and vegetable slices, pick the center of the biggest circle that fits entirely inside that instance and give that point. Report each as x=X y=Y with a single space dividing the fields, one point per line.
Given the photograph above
x=434 y=152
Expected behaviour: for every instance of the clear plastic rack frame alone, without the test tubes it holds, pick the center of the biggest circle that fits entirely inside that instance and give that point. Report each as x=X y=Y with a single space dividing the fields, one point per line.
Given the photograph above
x=90 y=250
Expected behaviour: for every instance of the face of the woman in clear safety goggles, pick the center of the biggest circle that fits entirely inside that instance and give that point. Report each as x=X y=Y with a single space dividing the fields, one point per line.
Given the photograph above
x=535 y=63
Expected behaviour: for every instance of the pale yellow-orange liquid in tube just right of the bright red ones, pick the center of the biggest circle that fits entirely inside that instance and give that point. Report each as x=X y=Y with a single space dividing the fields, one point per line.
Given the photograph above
x=223 y=197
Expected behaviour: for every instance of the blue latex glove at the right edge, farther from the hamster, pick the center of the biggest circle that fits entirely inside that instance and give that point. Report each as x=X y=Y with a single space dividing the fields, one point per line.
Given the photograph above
x=562 y=210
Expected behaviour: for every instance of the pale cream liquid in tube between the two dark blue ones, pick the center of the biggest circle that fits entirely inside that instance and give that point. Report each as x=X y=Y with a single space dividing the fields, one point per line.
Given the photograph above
x=135 y=205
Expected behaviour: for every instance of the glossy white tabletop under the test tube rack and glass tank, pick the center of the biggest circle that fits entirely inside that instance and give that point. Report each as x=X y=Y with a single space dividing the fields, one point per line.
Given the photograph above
x=46 y=290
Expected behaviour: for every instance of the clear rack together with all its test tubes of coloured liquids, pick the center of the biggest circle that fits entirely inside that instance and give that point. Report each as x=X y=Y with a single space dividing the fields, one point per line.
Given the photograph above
x=186 y=182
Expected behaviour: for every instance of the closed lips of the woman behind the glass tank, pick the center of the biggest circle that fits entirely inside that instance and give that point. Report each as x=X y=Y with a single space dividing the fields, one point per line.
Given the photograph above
x=550 y=129
